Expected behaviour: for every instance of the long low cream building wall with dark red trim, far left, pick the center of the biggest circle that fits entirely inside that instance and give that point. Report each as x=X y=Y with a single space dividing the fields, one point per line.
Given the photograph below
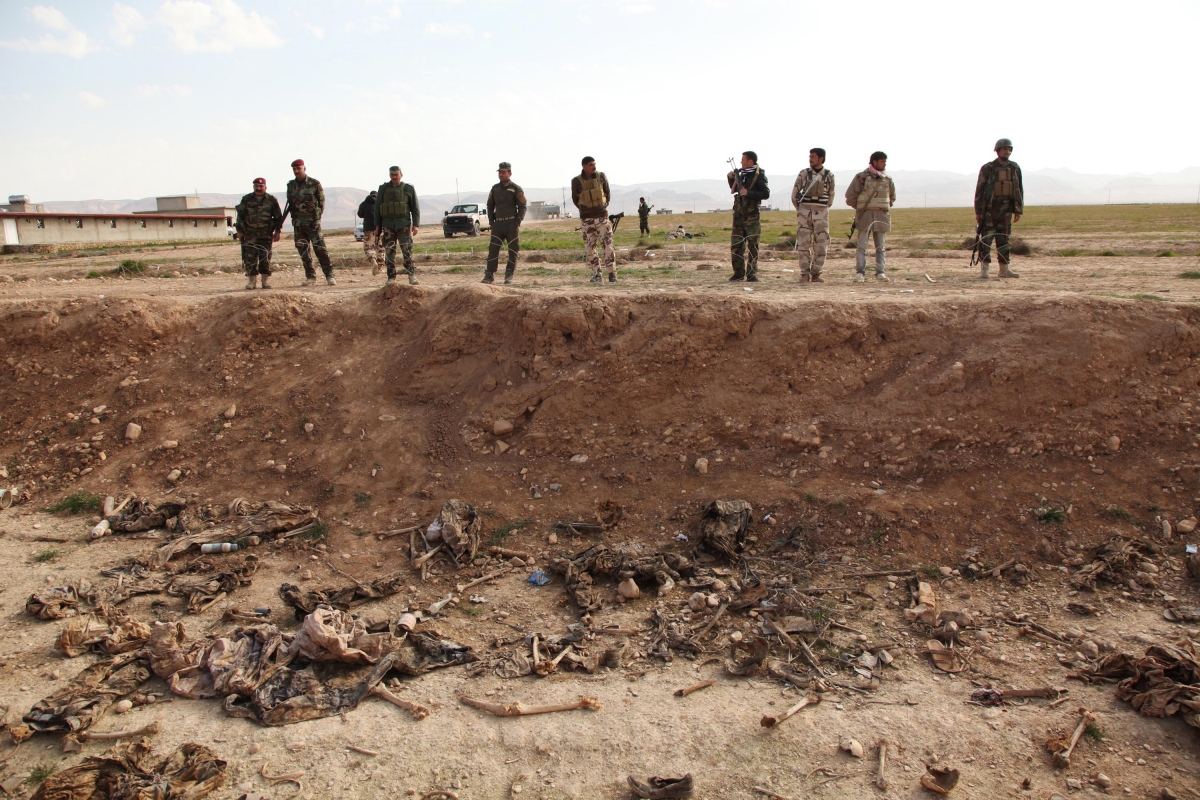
x=99 y=230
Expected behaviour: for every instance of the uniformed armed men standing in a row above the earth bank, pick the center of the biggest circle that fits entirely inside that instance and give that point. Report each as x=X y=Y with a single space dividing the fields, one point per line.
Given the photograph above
x=392 y=219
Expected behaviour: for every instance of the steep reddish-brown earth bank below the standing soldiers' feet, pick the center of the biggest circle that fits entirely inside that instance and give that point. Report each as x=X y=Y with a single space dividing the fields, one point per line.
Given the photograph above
x=395 y=398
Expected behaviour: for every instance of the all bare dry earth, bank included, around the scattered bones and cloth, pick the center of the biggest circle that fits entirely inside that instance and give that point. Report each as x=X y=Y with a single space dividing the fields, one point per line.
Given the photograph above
x=950 y=416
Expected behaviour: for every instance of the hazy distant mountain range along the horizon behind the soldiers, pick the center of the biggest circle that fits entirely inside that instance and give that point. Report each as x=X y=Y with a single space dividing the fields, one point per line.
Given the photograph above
x=915 y=189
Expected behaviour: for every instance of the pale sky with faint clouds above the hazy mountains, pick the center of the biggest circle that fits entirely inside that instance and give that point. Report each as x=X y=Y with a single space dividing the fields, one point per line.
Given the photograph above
x=143 y=98
